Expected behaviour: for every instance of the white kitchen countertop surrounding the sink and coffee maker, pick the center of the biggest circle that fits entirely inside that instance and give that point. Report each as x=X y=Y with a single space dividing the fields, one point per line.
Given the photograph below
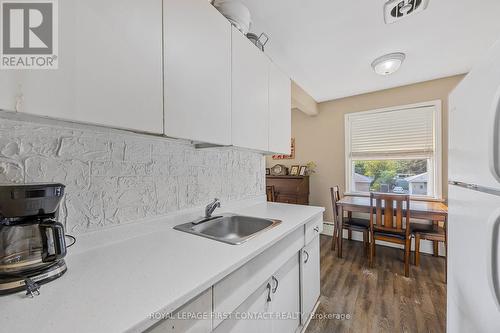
x=114 y=285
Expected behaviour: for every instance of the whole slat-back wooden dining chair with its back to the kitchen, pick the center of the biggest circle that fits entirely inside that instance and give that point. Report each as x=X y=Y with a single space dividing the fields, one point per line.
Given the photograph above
x=386 y=223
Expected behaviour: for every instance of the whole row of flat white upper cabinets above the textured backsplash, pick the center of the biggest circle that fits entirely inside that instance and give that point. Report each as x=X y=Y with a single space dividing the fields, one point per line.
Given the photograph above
x=173 y=67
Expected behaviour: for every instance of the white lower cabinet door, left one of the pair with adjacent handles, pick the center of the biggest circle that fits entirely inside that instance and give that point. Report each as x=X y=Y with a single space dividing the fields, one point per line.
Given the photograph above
x=250 y=317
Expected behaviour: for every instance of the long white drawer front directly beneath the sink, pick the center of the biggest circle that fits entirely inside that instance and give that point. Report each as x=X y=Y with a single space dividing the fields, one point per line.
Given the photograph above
x=234 y=289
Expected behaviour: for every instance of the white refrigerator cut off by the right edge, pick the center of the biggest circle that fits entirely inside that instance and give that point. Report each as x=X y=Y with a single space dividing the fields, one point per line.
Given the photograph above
x=473 y=290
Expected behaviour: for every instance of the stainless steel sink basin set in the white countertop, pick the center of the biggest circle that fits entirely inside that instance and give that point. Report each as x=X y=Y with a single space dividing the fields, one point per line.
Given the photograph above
x=228 y=228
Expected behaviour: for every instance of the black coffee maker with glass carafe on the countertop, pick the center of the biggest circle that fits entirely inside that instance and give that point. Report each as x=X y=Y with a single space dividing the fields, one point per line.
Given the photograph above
x=32 y=243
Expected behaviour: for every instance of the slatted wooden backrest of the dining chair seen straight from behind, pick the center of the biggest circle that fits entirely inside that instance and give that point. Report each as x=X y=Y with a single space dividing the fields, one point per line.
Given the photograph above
x=387 y=213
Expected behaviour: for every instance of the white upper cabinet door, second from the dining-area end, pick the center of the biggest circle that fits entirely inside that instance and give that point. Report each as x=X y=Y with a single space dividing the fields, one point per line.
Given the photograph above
x=250 y=94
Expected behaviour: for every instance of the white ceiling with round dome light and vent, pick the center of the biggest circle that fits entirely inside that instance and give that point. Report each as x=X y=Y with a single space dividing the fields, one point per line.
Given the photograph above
x=327 y=46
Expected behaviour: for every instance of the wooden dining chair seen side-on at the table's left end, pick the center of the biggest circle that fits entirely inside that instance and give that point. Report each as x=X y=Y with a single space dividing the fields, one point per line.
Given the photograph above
x=349 y=223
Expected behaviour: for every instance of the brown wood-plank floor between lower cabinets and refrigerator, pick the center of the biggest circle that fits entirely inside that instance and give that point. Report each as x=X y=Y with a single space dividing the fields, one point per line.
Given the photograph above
x=380 y=299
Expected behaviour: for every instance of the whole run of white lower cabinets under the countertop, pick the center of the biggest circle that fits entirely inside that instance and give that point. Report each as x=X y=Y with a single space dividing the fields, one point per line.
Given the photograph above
x=274 y=292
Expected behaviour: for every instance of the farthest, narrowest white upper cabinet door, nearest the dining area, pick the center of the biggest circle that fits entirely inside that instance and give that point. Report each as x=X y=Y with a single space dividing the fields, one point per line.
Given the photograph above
x=280 y=111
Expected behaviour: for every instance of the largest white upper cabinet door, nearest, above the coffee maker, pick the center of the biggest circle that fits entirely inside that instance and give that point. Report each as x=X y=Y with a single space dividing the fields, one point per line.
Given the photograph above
x=110 y=67
